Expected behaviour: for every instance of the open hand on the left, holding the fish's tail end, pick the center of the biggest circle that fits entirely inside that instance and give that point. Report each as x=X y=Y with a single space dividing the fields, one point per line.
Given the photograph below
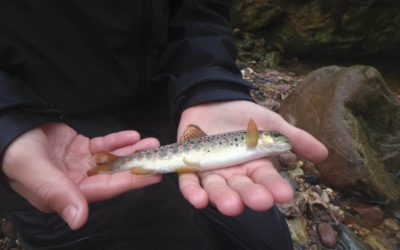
x=47 y=166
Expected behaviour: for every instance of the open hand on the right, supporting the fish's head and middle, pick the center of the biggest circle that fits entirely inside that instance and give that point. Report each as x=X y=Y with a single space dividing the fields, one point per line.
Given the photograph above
x=255 y=184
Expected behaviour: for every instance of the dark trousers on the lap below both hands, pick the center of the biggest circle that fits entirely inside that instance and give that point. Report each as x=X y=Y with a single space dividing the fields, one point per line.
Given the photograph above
x=159 y=220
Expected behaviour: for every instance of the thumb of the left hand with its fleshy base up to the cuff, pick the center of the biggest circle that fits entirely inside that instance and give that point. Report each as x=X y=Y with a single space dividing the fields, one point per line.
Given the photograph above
x=31 y=172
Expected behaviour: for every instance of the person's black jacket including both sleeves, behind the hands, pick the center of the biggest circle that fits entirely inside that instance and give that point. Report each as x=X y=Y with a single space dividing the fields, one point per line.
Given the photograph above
x=78 y=61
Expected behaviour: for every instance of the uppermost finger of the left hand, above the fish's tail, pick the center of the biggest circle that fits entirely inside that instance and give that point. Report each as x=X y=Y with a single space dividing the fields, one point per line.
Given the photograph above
x=113 y=141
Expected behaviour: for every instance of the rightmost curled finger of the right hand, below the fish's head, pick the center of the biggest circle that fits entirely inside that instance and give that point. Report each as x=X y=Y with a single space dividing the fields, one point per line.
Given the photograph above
x=268 y=177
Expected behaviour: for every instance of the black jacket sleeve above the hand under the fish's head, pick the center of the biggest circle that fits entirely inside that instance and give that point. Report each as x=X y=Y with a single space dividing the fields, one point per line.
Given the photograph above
x=200 y=56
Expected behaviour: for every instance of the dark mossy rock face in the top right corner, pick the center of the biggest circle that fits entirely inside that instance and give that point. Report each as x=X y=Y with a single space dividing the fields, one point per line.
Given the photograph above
x=320 y=27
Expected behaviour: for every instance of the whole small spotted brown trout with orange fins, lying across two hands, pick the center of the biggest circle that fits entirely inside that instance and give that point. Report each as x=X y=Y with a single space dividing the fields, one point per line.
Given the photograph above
x=196 y=151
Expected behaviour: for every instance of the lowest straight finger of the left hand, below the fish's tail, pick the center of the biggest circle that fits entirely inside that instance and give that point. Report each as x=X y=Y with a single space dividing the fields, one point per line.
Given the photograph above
x=102 y=187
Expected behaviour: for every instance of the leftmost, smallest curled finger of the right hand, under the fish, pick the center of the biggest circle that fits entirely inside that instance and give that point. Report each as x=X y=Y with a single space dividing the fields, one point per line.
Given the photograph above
x=192 y=191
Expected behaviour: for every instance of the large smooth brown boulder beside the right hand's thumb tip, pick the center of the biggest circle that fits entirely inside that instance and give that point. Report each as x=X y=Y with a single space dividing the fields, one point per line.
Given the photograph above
x=356 y=116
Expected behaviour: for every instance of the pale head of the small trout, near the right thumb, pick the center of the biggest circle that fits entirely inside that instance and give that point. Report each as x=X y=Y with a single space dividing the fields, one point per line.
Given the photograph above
x=274 y=141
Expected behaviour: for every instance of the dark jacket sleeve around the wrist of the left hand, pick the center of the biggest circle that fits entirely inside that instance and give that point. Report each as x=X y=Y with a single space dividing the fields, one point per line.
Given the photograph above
x=20 y=111
